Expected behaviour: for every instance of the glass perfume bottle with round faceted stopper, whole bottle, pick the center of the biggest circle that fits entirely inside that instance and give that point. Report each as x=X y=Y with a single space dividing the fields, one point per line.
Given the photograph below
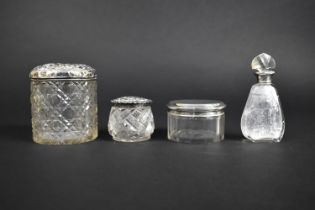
x=262 y=119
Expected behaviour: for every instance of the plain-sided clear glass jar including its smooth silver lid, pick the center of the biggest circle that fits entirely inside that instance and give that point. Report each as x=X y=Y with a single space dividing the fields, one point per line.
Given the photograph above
x=196 y=121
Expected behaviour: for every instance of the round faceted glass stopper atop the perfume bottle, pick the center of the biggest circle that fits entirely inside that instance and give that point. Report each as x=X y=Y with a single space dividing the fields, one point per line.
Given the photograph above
x=263 y=63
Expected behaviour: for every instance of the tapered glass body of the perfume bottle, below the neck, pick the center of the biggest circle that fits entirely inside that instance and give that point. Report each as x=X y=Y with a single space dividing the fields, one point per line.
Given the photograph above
x=262 y=119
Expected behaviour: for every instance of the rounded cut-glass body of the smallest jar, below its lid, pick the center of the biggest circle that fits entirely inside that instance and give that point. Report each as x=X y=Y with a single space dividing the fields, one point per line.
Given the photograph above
x=131 y=123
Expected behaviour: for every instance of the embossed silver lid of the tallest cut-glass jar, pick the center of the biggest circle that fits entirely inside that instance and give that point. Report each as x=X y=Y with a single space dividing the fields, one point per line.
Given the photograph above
x=63 y=71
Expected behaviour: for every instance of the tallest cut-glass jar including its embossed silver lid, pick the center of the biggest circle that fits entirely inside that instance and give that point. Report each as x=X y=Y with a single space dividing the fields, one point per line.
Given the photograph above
x=64 y=103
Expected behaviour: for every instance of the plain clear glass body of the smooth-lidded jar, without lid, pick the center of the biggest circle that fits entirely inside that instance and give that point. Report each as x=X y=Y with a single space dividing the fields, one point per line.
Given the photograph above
x=196 y=127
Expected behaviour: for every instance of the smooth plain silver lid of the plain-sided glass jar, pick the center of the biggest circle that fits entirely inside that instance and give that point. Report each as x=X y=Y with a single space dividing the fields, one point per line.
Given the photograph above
x=196 y=105
